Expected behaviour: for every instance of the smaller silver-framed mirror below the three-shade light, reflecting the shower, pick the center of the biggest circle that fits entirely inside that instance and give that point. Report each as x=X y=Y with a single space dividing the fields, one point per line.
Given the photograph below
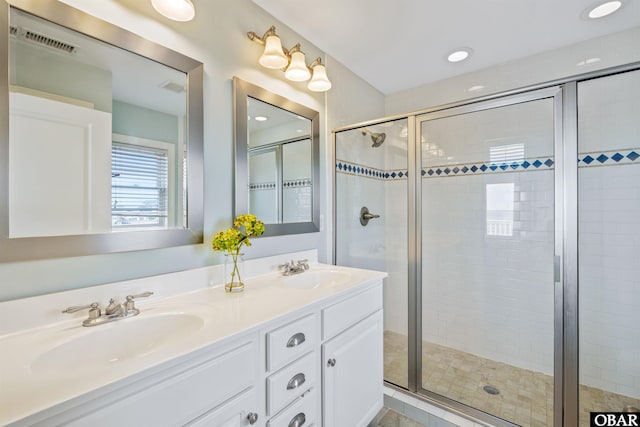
x=277 y=173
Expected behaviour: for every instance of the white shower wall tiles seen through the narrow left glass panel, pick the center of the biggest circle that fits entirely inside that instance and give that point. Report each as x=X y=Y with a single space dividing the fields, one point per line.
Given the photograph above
x=382 y=244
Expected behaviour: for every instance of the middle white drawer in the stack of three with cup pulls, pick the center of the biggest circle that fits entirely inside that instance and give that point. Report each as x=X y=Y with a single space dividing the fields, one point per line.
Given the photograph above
x=290 y=382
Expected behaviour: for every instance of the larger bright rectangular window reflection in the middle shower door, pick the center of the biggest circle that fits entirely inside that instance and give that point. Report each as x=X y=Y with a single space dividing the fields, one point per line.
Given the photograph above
x=500 y=209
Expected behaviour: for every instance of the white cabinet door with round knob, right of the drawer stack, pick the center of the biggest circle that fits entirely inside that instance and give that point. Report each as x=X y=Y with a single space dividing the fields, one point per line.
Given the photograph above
x=352 y=374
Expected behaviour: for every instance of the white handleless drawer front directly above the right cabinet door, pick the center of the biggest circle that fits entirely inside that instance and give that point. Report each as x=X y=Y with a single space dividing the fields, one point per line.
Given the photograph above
x=340 y=316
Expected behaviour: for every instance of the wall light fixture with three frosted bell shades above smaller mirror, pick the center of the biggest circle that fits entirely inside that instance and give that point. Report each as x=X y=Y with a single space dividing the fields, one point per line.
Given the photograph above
x=291 y=61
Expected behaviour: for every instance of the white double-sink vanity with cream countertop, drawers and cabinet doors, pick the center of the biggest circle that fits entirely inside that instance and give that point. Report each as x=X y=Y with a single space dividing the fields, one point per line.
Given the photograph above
x=293 y=351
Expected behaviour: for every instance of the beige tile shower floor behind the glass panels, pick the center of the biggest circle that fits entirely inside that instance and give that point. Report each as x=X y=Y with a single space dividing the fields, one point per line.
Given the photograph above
x=525 y=398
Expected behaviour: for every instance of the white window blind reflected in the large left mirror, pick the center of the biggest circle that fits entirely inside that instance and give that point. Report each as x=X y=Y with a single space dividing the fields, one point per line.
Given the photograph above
x=139 y=194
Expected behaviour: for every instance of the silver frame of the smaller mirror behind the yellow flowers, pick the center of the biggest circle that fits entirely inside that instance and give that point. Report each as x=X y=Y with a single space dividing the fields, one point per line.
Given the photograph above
x=241 y=91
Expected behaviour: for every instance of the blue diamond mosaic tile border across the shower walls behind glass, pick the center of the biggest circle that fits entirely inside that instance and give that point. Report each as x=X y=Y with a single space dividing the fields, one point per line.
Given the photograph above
x=607 y=158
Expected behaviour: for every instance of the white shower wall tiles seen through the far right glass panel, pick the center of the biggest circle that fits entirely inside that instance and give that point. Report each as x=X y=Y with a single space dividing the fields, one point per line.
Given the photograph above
x=609 y=234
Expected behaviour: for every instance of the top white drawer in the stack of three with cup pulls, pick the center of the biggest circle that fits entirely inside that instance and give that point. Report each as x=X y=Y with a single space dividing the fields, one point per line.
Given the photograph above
x=290 y=341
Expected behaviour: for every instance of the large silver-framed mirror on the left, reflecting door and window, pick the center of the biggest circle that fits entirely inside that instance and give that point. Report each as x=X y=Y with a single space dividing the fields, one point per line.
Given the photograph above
x=101 y=146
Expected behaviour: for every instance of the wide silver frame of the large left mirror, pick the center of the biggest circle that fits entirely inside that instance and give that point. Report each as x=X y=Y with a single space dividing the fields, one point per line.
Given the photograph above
x=30 y=248
